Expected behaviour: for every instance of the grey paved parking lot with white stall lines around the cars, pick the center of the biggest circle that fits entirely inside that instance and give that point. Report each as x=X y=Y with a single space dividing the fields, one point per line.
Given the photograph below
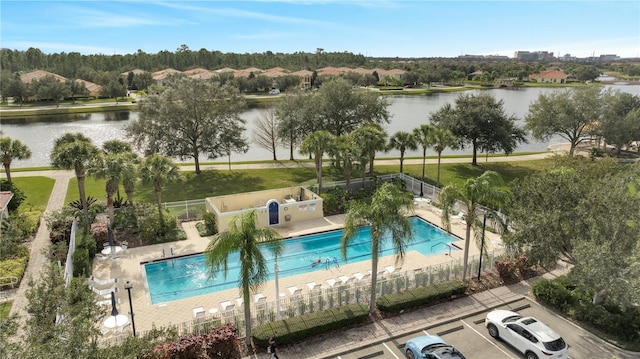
x=469 y=335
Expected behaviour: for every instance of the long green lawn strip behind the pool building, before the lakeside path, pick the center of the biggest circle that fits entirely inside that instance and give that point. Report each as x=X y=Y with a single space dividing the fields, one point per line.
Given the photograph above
x=221 y=182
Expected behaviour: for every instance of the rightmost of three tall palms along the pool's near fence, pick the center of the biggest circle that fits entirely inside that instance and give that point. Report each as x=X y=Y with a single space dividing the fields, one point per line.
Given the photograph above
x=473 y=192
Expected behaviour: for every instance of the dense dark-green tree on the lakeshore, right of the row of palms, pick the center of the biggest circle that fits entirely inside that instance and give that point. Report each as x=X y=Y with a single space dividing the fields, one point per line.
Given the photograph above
x=480 y=121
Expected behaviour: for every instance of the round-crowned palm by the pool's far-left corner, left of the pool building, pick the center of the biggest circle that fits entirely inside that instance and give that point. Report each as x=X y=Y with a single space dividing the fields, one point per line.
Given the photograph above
x=158 y=171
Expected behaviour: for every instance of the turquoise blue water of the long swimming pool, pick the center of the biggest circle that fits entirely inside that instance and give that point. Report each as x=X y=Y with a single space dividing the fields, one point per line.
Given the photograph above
x=188 y=276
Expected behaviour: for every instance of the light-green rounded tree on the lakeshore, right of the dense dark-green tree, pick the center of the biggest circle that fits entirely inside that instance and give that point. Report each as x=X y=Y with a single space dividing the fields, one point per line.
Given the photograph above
x=567 y=113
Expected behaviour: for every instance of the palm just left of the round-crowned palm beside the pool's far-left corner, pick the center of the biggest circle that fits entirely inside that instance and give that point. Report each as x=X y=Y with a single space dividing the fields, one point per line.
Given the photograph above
x=110 y=168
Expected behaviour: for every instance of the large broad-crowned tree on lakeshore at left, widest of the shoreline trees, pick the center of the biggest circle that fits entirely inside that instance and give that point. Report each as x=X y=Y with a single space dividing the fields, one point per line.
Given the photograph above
x=188 y=119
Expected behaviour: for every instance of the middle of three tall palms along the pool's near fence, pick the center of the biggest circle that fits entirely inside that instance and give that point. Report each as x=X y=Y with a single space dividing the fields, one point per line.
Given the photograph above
x=384 y=213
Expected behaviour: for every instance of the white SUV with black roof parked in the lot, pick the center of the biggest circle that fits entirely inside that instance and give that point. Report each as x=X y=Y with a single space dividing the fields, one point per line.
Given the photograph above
x=528 y=335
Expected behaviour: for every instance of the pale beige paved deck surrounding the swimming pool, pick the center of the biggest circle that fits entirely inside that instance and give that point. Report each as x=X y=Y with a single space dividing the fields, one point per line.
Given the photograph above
x=127 y=267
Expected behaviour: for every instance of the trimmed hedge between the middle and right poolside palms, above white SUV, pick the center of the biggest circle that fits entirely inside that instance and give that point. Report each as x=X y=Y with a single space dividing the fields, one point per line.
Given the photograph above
x=432 y=294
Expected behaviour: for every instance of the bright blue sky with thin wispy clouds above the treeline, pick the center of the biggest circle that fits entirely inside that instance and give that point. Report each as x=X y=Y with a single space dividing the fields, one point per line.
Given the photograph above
x=379 y=28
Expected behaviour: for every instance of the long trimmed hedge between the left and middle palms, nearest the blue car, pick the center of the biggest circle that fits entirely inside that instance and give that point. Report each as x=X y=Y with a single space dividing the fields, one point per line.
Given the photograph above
x=301 y=327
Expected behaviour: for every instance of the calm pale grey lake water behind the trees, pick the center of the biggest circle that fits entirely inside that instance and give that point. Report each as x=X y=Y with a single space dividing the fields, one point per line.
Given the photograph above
x=407 y=113
